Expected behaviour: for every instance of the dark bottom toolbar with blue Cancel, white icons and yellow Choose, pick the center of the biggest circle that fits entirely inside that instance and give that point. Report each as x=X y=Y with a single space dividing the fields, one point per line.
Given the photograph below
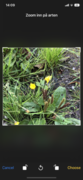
x=43 y=171
